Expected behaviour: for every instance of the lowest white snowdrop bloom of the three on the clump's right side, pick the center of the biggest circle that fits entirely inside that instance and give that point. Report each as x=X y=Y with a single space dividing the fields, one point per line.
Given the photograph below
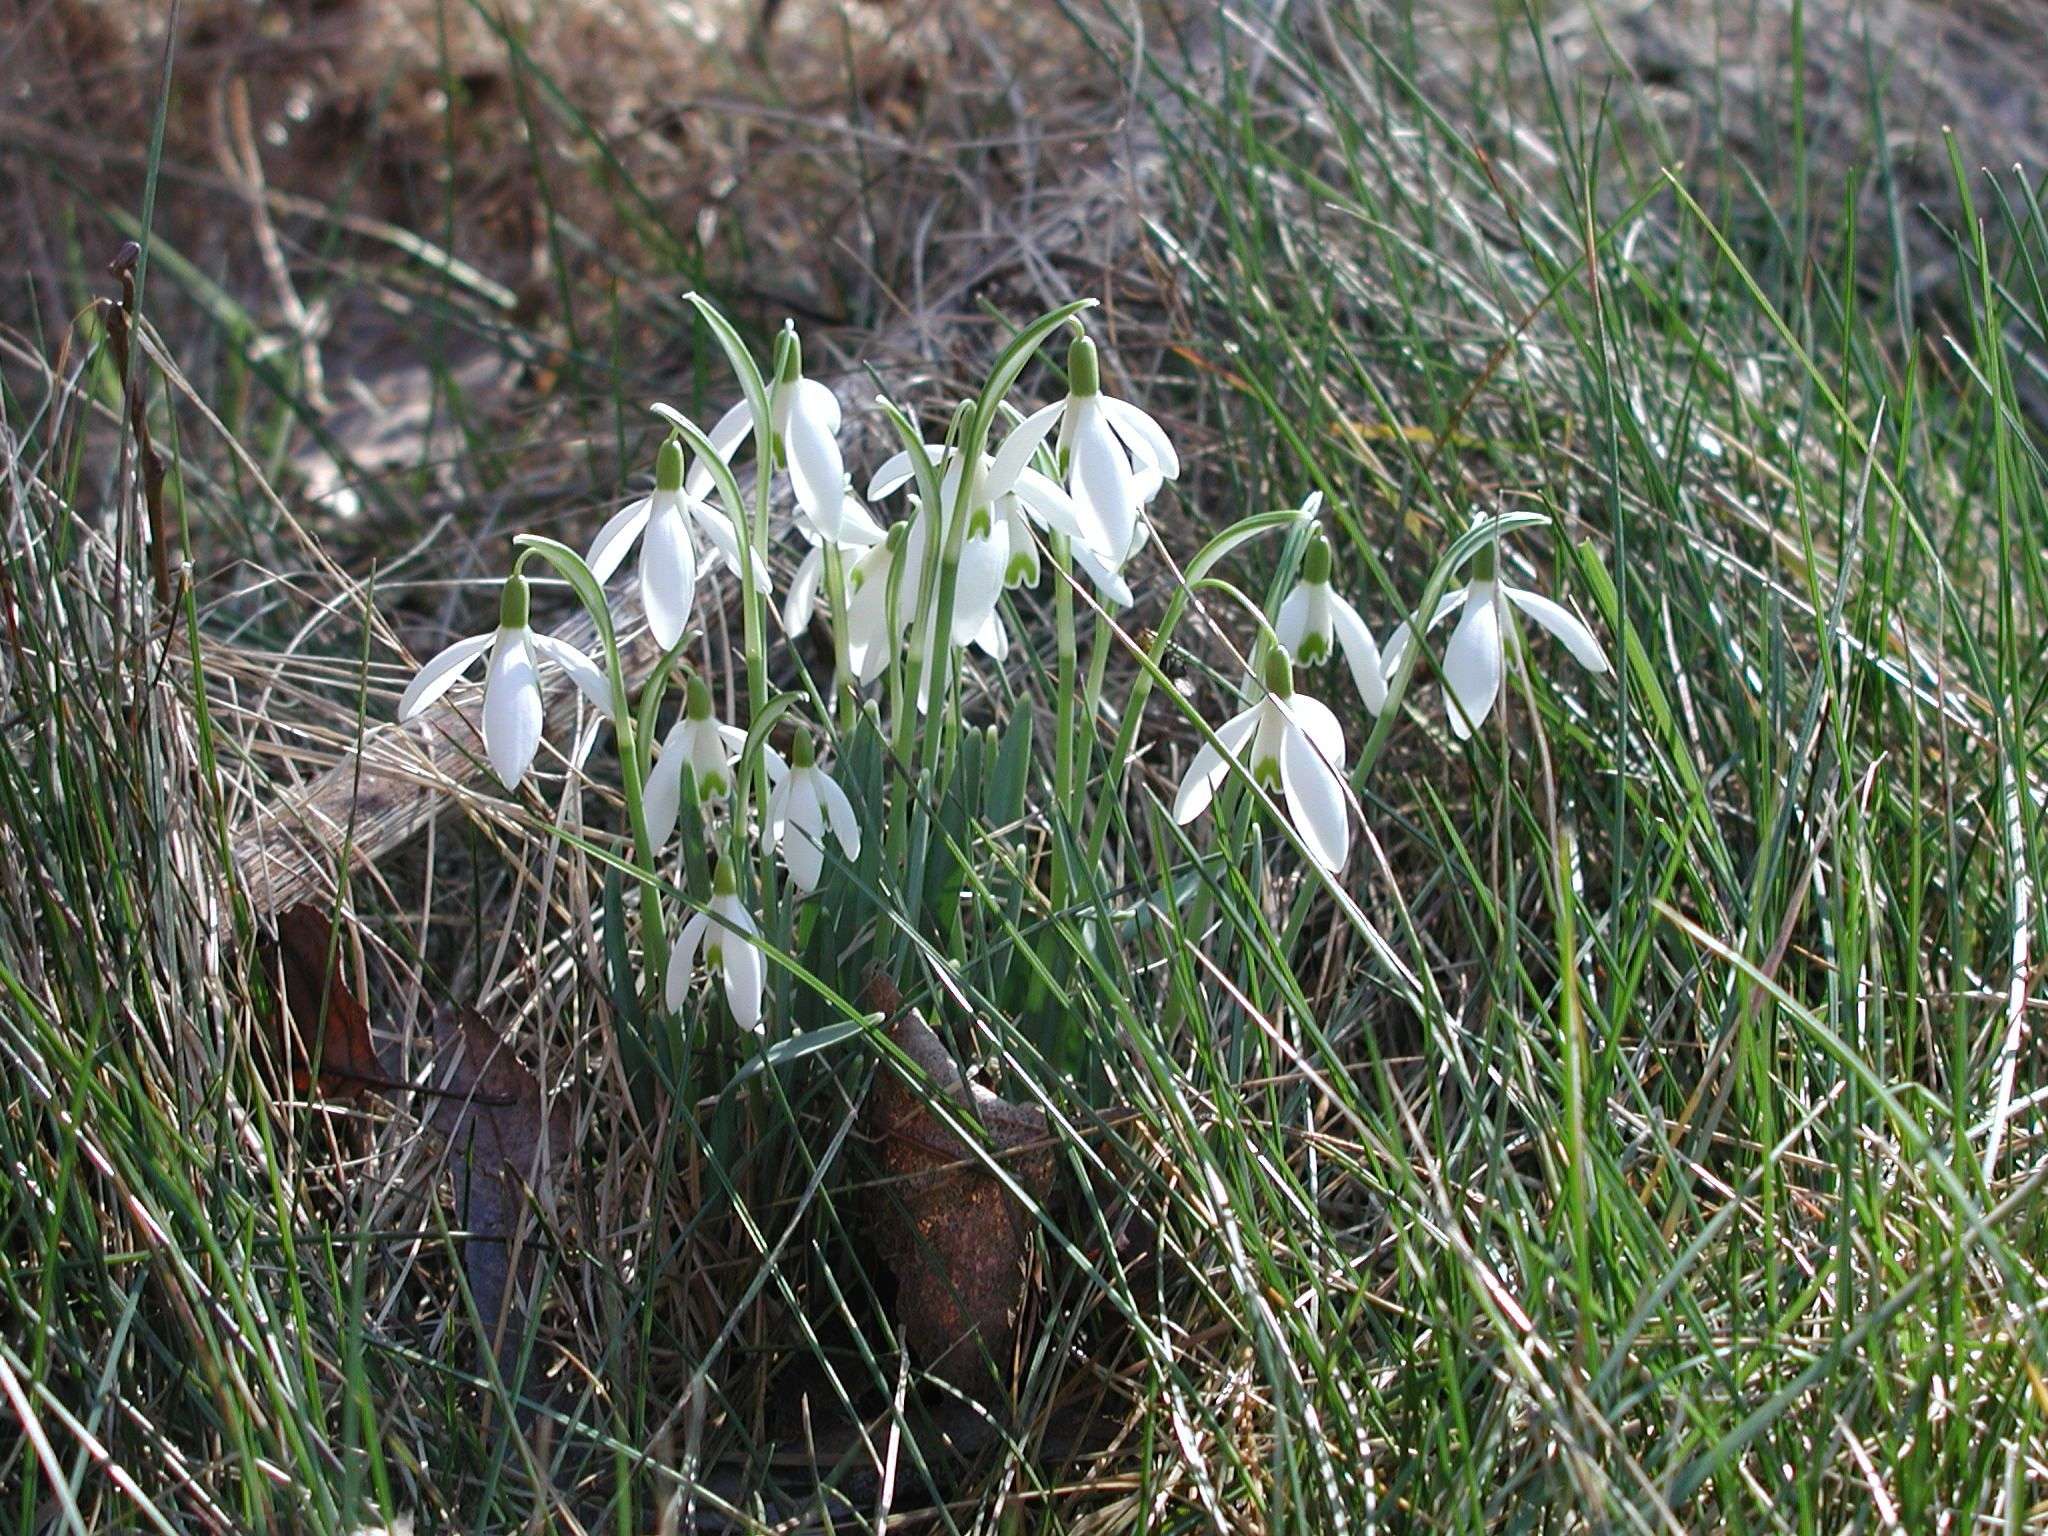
x=1295 y=753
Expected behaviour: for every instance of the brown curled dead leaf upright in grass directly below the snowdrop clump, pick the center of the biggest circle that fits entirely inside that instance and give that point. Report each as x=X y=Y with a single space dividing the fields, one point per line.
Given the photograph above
x=951 y=1232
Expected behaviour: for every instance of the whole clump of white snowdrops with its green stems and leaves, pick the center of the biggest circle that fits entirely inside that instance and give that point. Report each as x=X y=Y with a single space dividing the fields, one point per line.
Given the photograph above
x=994 y=503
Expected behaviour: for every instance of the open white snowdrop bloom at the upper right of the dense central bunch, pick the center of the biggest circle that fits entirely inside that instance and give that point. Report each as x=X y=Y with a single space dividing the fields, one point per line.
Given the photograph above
x=1117 y=458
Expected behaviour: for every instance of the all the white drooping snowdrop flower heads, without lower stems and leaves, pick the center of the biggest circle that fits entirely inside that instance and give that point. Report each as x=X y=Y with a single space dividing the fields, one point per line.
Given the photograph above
x=1074 y=476
